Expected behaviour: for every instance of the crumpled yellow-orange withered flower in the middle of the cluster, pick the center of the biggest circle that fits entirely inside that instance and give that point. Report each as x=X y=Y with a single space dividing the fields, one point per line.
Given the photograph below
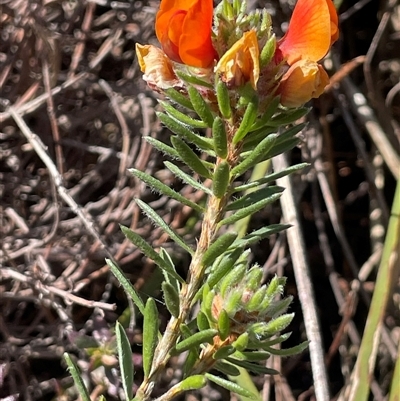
x=241 y=64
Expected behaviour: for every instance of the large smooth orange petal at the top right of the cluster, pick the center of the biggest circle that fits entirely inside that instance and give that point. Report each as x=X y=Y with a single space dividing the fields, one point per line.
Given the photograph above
x=312 y=30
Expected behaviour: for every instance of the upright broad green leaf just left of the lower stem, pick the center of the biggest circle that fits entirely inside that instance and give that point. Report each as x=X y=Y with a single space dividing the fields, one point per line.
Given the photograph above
x=150 y=334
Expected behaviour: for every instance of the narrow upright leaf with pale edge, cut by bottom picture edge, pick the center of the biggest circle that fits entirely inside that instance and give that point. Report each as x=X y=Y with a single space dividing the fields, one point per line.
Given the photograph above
x=125 y=360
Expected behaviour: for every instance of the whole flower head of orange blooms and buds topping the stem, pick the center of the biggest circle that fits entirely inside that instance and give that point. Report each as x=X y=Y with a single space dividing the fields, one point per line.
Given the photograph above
x=241 y=50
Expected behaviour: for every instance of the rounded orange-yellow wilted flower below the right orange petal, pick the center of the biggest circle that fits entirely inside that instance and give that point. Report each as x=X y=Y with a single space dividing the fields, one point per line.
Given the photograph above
x=304 y=80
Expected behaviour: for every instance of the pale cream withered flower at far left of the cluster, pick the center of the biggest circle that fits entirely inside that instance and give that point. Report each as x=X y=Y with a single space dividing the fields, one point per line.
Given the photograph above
x=156 y=66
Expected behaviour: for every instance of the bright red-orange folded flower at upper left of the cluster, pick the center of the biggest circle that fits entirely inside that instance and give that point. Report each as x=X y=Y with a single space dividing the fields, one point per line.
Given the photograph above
x=183 y=28
